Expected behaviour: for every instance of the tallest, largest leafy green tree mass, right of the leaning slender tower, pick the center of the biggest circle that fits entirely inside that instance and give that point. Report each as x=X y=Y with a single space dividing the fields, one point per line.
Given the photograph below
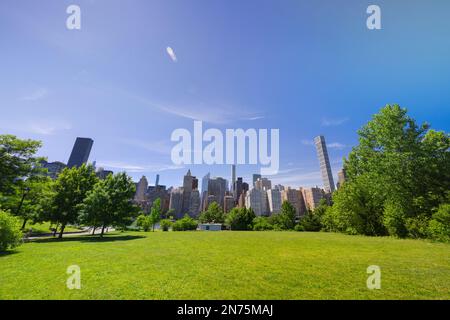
x=397 y=176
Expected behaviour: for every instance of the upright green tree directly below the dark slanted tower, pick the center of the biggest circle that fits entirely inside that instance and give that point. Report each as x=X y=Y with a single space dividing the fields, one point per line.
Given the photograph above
x=71 y=189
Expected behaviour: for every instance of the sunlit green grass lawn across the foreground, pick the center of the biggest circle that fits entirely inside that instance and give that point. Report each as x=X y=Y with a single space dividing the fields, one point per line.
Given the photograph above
x=226 y=265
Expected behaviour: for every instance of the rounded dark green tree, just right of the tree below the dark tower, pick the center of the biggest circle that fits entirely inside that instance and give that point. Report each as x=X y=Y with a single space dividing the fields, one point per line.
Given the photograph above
x=109 y=203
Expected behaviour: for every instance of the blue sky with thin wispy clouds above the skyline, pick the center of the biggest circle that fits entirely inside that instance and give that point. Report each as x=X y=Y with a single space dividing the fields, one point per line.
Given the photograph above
x=304 y=67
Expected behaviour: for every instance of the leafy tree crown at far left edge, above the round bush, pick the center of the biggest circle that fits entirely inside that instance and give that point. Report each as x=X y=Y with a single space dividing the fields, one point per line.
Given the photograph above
x=17 y=161
